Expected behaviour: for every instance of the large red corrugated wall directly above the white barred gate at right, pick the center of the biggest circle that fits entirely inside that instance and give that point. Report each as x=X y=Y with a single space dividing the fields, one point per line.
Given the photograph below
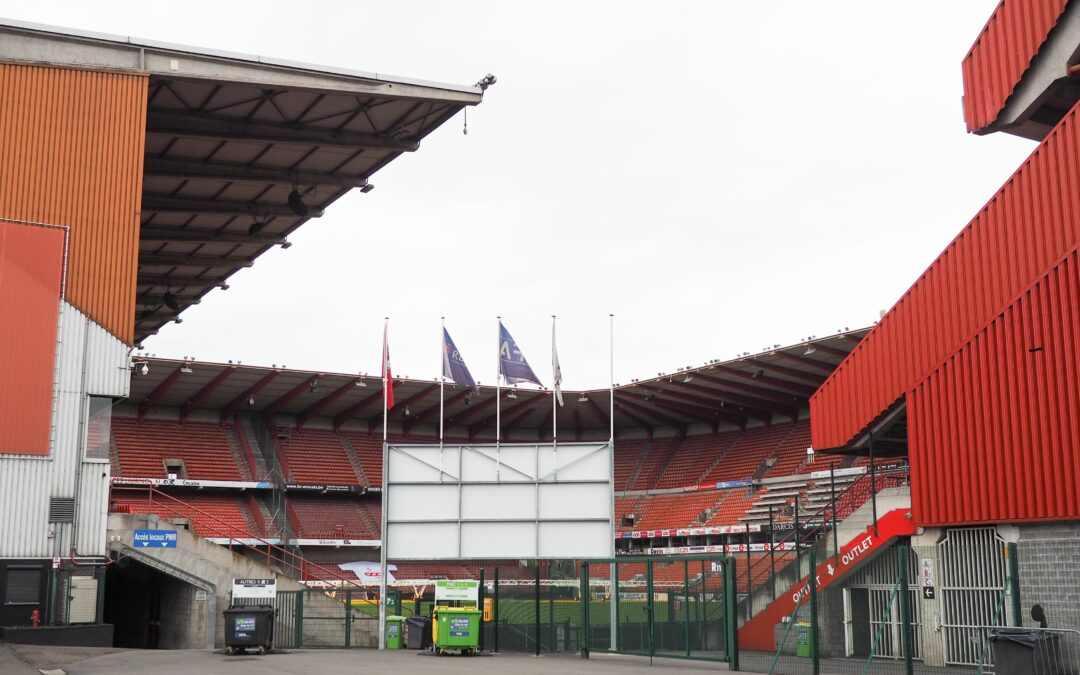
x=994 y=430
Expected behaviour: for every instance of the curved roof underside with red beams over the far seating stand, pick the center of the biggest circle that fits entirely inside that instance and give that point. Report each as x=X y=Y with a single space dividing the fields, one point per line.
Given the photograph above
x=759 y=389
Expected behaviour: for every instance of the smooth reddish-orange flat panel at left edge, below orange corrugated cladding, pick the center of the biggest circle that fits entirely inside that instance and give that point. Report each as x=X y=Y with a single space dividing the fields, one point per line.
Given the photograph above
x=32 y=264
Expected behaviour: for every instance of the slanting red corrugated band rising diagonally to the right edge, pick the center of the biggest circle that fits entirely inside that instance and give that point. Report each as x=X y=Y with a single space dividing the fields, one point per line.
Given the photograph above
x=1024 y=229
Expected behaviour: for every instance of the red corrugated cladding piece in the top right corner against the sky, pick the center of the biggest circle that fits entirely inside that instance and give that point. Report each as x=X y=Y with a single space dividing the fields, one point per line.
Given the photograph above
x=1002 y=53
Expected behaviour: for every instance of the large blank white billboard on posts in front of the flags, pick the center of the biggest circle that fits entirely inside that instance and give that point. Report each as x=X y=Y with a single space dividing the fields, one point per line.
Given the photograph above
x=498 y=502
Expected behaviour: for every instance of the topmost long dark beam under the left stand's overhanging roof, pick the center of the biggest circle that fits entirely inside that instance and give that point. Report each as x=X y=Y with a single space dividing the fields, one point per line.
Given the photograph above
x=220 y=128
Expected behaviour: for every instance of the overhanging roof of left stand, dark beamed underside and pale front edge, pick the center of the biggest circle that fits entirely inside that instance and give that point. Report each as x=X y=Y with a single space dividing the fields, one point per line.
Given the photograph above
x=241 y=151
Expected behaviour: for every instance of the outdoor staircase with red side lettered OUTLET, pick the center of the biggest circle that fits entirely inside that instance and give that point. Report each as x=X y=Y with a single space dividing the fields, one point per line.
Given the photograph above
x=773 y=587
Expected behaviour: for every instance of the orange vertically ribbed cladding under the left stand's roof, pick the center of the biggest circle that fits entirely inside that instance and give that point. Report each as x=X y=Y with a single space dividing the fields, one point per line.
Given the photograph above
x=73 y=156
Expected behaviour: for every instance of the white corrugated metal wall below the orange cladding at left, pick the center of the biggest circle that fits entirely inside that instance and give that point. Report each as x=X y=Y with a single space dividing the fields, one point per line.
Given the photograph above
x=90 y=362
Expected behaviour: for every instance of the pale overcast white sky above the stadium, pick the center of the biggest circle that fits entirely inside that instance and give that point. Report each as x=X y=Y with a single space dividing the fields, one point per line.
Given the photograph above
x=723 y=177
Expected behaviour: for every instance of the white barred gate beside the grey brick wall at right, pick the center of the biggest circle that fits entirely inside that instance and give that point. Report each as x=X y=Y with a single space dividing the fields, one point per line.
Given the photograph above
x=974 y=578
